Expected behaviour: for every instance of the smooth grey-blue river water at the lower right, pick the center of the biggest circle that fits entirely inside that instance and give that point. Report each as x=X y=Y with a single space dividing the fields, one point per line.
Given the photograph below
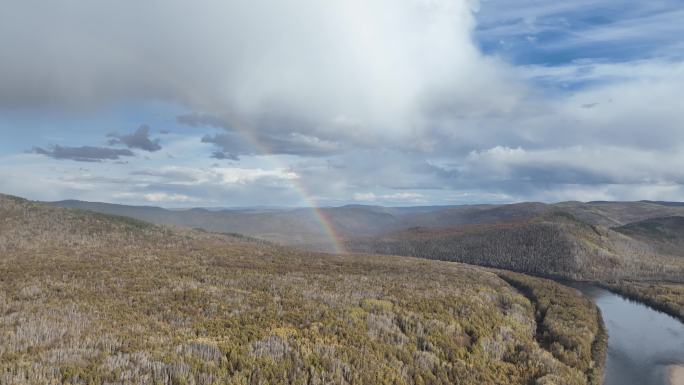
x=642 y=342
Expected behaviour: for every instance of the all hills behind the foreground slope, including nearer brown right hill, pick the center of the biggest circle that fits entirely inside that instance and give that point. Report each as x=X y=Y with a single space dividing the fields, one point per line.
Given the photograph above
x=594 y=240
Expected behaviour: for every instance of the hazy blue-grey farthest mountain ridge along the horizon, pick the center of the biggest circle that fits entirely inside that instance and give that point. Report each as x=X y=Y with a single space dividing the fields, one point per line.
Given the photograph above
x=300 y=226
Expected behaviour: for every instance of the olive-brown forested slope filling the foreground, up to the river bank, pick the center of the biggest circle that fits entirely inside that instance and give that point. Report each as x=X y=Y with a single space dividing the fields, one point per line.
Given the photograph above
x=95 y=299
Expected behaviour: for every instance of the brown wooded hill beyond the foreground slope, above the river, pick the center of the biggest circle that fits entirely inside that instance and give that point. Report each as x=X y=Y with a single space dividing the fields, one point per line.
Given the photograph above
x=556 y=244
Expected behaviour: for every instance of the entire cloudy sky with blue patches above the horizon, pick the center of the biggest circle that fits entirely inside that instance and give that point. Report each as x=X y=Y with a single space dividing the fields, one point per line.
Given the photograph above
x=230 y=103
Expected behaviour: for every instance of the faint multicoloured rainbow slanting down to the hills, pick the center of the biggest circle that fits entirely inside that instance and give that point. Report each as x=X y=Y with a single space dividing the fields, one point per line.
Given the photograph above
x=320 y=215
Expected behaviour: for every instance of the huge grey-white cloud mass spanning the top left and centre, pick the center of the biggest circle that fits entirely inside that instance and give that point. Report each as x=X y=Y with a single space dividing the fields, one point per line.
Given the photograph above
x=384 y=64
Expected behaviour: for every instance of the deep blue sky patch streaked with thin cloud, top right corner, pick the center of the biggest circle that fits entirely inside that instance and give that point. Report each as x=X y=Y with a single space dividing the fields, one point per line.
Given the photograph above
x=544 y=33
